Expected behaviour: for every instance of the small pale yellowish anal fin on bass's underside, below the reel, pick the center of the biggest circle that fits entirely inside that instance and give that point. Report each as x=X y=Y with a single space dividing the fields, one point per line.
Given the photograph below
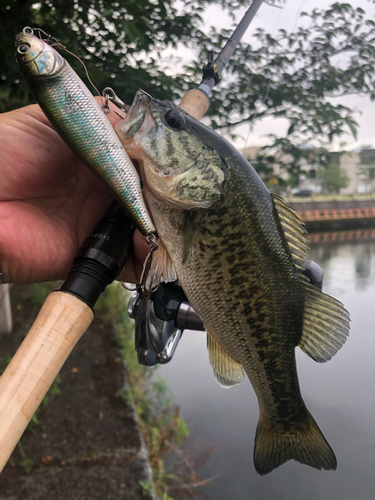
x=227 y=372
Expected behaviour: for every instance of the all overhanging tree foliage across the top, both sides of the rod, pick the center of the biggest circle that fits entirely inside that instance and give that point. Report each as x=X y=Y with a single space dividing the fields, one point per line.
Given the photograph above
x=291 y=75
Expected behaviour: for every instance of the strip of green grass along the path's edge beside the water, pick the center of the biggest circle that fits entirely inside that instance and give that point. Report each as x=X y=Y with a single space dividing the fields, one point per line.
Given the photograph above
x=162 y=426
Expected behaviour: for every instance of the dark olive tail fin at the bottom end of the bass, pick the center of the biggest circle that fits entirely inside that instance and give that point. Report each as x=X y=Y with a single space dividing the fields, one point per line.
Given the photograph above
x=304 y=443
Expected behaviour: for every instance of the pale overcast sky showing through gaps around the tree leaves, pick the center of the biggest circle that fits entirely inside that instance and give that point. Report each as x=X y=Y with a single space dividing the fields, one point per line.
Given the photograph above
x=272 y=19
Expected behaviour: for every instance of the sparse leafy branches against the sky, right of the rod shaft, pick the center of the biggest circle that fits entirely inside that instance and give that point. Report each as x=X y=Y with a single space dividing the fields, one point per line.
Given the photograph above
x=295 y=76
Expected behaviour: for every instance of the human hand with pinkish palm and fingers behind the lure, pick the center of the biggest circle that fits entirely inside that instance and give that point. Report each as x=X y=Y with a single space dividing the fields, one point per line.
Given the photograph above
x=49 y=201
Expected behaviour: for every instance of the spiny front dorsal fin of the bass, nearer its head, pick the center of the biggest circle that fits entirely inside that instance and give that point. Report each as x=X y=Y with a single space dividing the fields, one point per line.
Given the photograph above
x=293 y=230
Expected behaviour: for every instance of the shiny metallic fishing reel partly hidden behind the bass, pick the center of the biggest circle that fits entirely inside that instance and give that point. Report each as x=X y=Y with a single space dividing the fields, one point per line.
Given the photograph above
x=162 y=316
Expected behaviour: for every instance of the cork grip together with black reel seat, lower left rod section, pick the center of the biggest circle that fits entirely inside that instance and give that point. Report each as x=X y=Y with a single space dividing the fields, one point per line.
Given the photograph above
x=62 y=320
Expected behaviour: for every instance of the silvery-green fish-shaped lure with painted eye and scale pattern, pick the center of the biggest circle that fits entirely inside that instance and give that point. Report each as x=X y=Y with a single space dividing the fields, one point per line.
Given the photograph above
x=80 y=121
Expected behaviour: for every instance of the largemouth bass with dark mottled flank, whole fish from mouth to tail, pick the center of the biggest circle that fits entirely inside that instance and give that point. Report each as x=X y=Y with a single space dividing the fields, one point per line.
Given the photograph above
x=237 y=251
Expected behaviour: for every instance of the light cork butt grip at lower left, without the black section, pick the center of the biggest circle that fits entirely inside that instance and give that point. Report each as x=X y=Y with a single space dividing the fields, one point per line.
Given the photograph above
x=61 y=322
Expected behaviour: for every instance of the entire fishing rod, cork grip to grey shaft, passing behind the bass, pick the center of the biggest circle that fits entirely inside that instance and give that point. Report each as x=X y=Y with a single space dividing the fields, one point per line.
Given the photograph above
x=66 y=314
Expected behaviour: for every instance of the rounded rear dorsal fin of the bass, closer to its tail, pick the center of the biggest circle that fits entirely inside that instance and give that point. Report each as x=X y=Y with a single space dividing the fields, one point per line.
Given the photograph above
x=325 y=325
